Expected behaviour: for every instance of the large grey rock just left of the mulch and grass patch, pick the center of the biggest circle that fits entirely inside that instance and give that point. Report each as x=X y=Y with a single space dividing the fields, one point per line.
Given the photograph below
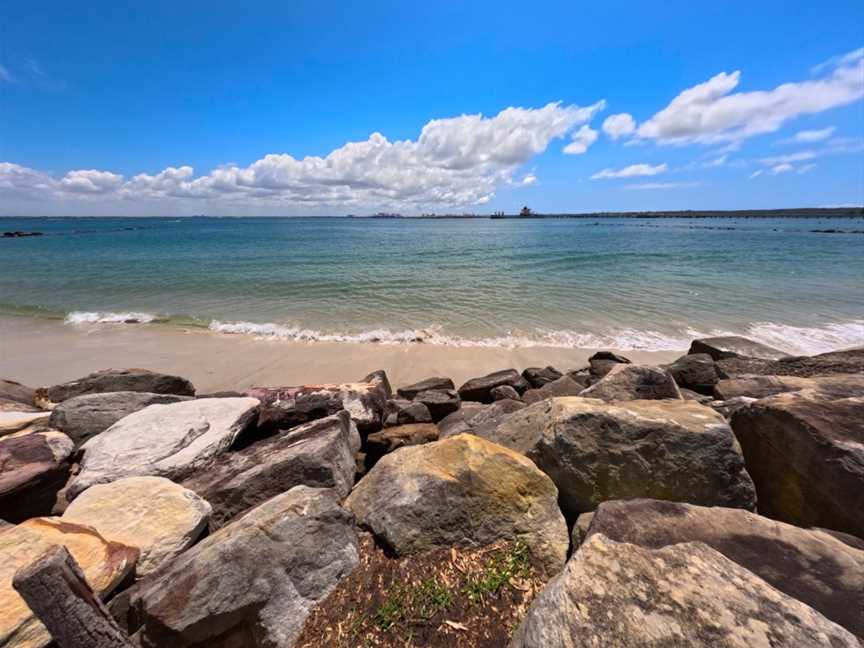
x=253 y=582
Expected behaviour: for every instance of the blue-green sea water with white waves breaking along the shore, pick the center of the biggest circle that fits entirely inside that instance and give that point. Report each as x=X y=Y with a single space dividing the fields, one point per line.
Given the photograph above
x=626 y=283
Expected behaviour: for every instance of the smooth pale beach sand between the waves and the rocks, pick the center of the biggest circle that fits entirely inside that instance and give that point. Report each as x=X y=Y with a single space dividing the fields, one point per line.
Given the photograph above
x=46 y=352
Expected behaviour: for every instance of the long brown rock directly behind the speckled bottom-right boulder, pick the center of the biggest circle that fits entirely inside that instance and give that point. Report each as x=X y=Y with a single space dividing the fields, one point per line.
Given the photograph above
x=808 y=565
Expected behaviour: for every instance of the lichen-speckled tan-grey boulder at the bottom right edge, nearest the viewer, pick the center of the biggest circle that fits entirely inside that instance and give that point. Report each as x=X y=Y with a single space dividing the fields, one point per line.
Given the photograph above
x=685 y=595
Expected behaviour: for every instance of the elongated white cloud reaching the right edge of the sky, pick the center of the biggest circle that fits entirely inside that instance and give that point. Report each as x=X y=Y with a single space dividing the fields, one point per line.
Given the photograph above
x=709 y=112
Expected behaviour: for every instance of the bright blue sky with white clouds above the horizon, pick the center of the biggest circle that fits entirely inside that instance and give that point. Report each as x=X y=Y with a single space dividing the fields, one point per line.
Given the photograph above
x=333 y=108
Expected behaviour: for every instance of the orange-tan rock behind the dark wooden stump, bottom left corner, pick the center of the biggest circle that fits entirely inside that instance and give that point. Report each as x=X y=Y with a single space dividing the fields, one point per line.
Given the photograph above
x=105 y=565
